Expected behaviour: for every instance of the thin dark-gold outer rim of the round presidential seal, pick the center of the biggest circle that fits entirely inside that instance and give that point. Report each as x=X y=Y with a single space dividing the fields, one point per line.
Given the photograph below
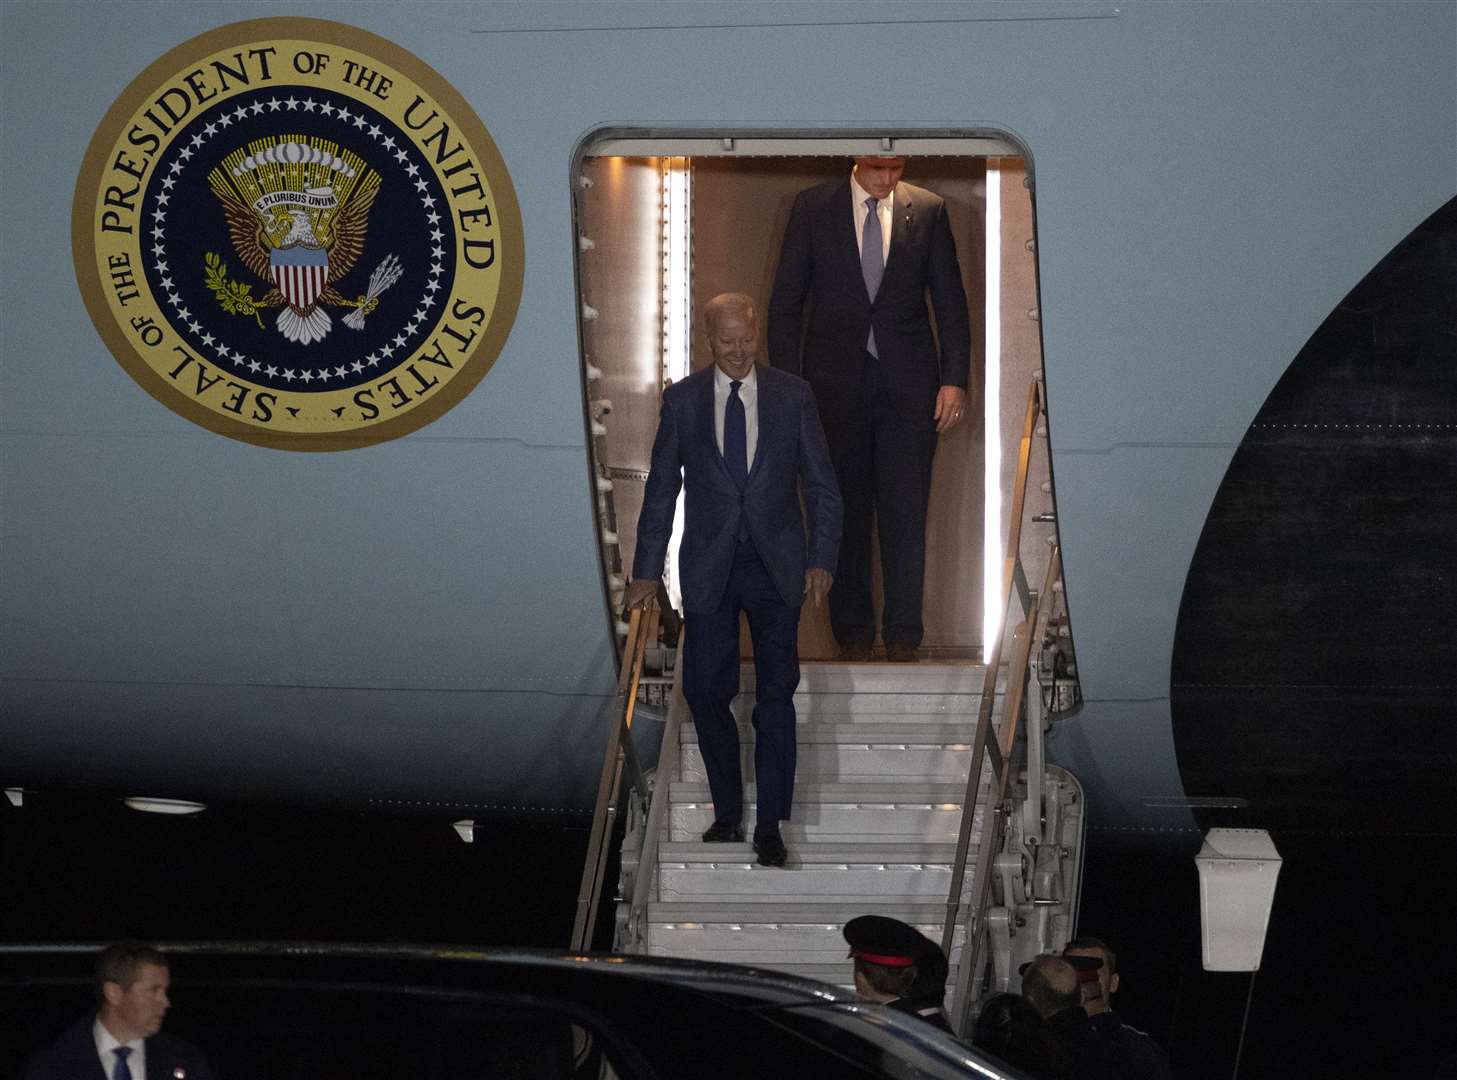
x=254 y=31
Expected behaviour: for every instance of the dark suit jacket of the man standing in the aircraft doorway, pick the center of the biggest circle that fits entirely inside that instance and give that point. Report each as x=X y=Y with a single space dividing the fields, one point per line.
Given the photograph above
x=820 y=267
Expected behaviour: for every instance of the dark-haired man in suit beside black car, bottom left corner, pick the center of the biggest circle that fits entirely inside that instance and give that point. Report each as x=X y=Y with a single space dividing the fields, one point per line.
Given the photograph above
x=123 y=1040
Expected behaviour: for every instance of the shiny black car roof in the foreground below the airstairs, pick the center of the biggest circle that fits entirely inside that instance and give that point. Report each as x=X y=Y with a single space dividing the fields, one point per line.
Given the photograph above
x=280 y=1011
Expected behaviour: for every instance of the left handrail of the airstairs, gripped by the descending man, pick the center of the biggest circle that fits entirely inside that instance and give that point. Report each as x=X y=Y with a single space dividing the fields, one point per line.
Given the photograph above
x=621 y=756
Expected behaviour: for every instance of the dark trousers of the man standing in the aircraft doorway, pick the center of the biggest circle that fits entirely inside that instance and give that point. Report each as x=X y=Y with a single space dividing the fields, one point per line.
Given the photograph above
x=884 y=466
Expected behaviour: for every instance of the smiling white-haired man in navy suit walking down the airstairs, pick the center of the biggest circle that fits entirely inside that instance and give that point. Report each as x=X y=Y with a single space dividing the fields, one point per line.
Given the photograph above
x=744 y=442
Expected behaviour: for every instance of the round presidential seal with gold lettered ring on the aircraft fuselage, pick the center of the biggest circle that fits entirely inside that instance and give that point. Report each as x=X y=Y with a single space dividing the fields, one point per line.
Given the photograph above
x=295 y=234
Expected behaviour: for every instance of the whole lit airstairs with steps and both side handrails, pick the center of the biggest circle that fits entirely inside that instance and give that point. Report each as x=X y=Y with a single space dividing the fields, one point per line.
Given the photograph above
x=887 y=820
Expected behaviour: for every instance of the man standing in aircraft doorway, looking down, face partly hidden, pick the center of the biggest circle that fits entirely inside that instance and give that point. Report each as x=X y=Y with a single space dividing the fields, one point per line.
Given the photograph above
x=863 y=254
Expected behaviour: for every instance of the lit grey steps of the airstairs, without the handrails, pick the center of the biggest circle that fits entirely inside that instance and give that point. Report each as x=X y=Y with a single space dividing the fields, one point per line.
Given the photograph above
x=884 y=753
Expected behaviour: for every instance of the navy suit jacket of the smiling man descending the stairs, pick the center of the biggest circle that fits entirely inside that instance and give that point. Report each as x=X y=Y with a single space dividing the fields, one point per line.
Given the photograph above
x=790 y=454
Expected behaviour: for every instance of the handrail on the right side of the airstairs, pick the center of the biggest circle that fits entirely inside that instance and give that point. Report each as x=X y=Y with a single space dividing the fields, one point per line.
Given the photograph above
x=991 y=746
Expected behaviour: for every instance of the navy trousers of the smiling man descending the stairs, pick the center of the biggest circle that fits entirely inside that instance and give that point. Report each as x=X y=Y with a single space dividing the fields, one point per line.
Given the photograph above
x=712 y=681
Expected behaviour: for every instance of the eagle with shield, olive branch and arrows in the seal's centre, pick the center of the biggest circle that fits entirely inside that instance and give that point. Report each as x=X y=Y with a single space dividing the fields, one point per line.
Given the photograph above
x=298 y=215
